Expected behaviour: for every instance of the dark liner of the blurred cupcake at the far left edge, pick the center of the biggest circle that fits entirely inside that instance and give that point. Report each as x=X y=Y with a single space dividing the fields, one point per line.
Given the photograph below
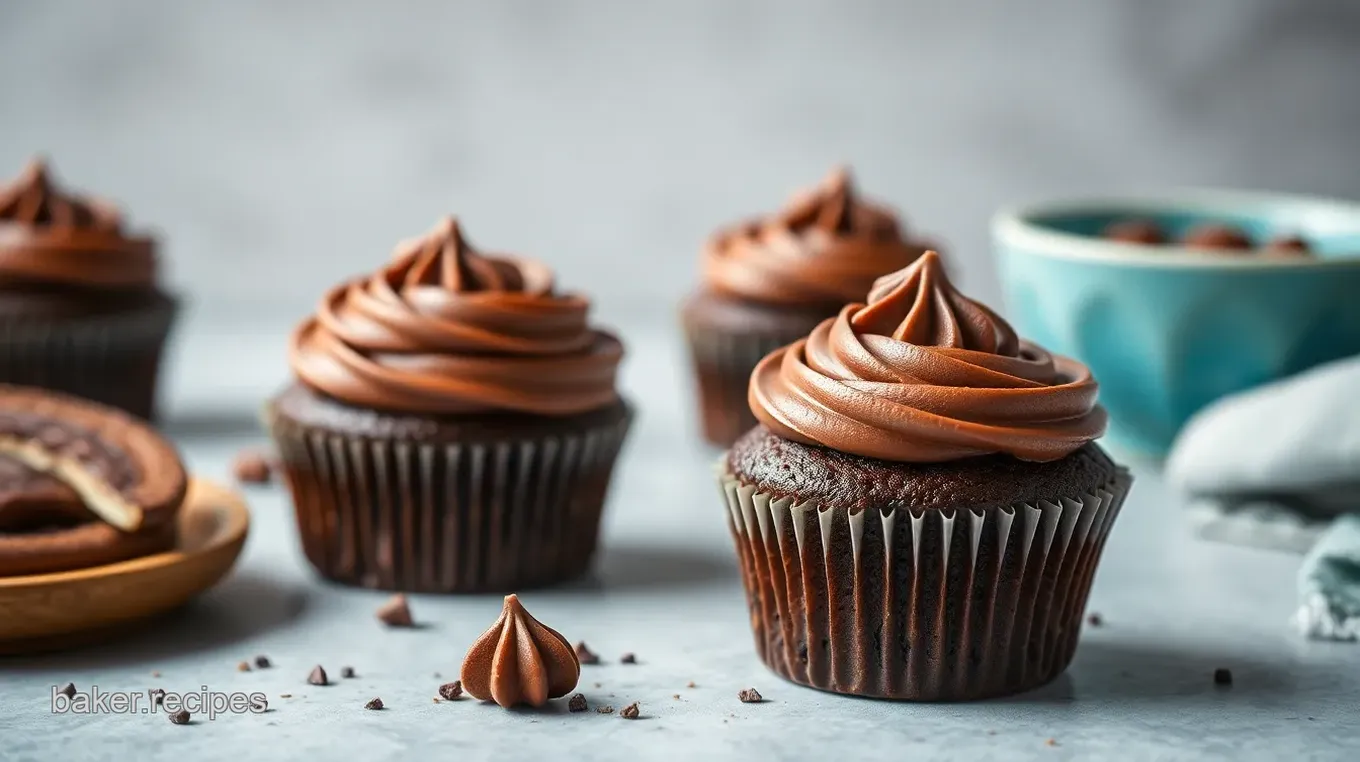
x=112 y=360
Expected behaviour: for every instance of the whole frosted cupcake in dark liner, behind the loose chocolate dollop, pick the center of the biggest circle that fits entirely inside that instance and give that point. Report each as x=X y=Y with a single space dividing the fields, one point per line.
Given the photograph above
x=454 y=425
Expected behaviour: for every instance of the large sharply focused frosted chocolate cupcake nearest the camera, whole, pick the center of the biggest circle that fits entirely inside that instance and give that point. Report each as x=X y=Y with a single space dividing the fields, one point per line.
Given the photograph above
x=923 y=507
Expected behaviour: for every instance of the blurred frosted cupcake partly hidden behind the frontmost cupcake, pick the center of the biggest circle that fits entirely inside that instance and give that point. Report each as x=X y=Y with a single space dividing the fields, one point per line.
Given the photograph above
x=772 y=281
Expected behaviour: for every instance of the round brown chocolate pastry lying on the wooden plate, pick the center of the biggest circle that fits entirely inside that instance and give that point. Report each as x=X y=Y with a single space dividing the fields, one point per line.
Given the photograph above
x=81 y=485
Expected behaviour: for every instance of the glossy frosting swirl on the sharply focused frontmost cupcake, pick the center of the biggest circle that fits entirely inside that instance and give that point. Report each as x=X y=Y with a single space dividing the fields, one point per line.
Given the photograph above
x=923 y=375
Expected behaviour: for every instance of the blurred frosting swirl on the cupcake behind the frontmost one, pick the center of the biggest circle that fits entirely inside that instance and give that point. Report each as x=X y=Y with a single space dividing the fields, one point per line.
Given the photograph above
x=826 y=247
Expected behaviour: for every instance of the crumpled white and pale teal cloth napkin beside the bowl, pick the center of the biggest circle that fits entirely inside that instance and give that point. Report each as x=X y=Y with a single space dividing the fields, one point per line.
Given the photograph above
x=1280 y=466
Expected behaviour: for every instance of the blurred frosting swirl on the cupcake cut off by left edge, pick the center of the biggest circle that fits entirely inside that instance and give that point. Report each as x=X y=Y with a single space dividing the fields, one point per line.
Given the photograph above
x=61 y=239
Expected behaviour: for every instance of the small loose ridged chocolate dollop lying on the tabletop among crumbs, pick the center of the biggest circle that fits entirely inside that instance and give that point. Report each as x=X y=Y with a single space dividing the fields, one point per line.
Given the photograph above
x=520 y=661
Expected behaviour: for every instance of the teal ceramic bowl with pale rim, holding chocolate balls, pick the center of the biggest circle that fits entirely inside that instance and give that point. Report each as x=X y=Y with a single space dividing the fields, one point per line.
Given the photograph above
x=1169 y=330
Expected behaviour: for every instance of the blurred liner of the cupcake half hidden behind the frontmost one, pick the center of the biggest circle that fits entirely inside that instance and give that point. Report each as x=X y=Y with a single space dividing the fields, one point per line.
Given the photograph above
x=724 y=364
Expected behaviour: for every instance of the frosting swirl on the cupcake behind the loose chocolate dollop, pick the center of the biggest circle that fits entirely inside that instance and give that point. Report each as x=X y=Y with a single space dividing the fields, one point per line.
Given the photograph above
x=445 y=330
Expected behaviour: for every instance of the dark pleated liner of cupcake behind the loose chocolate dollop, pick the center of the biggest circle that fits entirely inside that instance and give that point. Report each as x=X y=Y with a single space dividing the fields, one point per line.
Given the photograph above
x=479 y=516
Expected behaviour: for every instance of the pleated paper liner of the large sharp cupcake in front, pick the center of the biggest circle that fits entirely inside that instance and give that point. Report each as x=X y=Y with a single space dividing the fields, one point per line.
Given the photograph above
x=945 y=606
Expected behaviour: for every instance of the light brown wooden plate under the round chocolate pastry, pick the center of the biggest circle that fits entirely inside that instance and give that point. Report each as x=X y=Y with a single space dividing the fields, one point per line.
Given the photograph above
x=82 y=608
